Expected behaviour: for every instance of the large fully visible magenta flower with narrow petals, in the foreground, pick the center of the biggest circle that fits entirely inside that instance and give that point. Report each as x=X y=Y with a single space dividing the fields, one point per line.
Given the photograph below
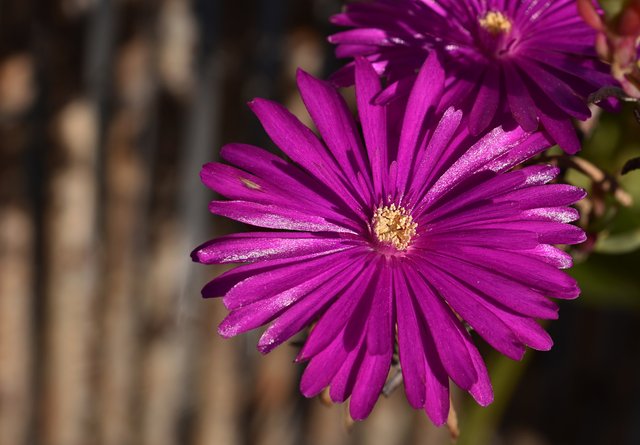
x=389 y=241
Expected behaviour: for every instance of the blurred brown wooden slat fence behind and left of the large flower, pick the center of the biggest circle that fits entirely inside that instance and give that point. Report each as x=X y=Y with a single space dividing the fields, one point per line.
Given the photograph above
x=107 y=111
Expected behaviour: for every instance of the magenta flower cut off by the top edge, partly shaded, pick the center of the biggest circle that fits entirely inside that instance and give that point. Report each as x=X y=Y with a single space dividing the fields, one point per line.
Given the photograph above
x=532 y=59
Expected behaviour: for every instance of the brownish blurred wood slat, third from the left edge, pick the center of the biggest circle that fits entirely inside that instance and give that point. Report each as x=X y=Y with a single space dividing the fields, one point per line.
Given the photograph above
x=126 y=177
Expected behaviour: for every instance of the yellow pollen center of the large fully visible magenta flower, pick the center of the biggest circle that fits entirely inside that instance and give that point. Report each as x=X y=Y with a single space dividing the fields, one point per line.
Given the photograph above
x=393 y=225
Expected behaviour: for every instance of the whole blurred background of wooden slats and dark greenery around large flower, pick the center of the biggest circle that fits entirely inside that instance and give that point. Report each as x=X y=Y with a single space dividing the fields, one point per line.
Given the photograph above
x=107 y=111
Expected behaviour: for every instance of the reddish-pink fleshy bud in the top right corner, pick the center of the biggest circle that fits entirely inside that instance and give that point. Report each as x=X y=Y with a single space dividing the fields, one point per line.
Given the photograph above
x=618 y=41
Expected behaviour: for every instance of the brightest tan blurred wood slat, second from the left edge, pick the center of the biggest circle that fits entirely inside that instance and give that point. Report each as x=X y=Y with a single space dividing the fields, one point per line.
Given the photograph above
x=71 y=234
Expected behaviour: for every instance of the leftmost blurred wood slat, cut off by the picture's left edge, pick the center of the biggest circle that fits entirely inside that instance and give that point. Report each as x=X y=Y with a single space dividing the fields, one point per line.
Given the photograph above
x=17 y=229
